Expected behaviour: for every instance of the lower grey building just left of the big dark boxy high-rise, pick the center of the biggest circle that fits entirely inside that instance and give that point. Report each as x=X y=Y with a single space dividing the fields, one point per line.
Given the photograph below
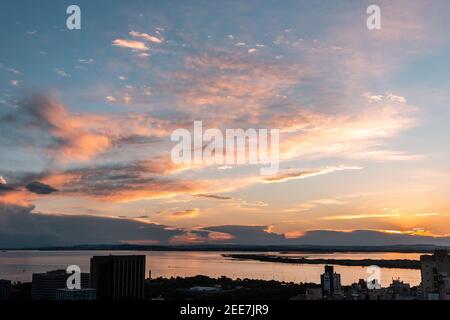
x=44 y=285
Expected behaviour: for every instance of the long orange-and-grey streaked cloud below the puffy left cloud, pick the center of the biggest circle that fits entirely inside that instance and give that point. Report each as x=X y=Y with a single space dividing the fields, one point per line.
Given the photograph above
x=140 y=180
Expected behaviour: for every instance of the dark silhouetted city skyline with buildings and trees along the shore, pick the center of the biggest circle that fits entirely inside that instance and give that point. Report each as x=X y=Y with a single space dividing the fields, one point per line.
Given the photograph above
x=122 y=277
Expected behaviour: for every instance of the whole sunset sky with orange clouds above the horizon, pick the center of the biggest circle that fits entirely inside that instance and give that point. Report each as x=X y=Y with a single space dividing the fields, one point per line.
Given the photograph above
x=86 y=117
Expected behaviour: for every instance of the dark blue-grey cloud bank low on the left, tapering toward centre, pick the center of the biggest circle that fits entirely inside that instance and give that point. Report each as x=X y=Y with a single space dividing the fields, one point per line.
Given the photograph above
x=19 y=227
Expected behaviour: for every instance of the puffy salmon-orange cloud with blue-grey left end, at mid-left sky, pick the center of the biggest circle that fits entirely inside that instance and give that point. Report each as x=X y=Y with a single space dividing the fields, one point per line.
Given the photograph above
x=82 y=136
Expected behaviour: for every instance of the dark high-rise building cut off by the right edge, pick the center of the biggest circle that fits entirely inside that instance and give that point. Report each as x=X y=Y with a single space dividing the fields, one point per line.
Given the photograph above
x=435 y=272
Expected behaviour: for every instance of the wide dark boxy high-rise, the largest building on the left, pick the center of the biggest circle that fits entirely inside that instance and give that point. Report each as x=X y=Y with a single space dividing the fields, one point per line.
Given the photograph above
x=118 y=277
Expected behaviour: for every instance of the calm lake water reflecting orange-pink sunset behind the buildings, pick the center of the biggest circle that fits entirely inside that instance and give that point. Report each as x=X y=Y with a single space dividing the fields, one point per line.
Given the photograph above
x=19 y=265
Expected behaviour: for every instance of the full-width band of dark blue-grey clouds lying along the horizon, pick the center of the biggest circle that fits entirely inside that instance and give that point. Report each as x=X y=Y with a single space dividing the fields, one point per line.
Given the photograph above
x=19 y=227
